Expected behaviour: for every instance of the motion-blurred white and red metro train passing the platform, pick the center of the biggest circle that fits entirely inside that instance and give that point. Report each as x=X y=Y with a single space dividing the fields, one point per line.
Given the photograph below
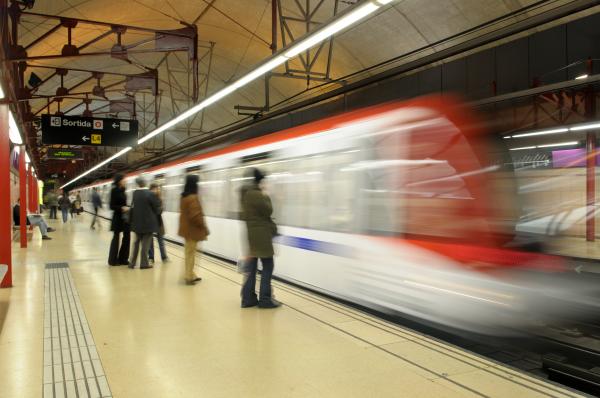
x=402 y=207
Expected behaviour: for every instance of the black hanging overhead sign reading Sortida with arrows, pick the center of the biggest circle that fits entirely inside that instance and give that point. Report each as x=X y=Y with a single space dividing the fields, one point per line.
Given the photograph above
x=74 y=130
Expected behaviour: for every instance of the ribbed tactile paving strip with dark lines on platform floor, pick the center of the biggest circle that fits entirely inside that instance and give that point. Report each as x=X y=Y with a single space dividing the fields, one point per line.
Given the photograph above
x=72 y=367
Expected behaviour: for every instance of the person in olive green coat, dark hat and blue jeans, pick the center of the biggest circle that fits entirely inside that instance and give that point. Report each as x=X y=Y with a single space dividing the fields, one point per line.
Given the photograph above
x=256 y=212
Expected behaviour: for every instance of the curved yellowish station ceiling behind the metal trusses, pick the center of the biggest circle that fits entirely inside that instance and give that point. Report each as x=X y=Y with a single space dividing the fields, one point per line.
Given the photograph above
x=233 y=36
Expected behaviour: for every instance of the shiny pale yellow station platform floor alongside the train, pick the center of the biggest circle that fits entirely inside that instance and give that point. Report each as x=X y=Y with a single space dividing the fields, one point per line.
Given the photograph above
x=73 y=326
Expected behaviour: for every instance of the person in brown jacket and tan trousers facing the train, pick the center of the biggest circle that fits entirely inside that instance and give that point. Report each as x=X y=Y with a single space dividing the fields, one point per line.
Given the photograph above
x=192 y=226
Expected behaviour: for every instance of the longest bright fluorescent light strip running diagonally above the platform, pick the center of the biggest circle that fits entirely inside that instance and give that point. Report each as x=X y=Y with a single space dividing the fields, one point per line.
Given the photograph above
x=316 y=37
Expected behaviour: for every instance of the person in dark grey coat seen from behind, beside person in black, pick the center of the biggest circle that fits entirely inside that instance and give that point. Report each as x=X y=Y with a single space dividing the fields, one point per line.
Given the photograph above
x=145 y=209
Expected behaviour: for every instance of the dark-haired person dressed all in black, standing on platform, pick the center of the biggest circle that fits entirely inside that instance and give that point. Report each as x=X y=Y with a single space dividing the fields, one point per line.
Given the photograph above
x=119 y=223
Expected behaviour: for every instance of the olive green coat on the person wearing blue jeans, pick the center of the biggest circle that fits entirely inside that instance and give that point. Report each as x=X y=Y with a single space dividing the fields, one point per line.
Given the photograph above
x=256 y=212
